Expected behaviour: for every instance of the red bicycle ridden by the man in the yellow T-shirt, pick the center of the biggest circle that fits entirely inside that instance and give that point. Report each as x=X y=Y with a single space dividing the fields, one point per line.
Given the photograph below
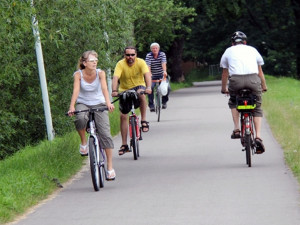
x=135 y=133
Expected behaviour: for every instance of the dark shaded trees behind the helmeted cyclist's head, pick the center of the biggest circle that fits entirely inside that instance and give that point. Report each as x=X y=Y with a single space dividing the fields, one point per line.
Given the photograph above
x=271 y=27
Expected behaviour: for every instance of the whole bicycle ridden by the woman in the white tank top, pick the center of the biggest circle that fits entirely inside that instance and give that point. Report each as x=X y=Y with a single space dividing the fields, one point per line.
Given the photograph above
x=96 y=154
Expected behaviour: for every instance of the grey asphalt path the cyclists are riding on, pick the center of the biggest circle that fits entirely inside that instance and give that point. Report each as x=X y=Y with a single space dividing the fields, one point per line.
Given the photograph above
x=190 y=172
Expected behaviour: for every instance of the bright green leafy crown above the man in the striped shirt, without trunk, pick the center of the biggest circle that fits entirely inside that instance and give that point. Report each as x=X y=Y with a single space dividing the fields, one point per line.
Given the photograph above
x=159 y=21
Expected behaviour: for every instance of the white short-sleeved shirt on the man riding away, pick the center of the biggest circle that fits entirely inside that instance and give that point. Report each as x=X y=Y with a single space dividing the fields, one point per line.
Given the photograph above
x=241 y=60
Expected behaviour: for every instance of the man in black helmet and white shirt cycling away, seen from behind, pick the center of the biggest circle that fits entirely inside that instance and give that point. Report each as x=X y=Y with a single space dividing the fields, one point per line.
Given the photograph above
x=242 y=66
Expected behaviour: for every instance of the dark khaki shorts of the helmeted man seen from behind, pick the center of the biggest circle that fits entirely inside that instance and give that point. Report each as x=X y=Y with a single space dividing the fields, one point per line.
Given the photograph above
x=252 y=82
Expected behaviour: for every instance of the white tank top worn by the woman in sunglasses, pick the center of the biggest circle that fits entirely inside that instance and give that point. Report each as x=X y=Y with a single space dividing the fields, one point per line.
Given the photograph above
x=90 y=93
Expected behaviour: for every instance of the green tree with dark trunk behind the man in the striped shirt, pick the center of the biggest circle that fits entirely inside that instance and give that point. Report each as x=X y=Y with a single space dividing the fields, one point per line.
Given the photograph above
x=164 y=22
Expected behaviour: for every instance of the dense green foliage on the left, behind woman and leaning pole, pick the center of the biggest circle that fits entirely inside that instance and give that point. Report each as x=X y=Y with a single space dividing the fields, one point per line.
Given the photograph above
x=63 y=41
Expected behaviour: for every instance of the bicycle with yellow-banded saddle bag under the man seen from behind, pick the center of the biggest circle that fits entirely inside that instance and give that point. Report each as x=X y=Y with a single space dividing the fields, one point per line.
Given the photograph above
x=246 y=102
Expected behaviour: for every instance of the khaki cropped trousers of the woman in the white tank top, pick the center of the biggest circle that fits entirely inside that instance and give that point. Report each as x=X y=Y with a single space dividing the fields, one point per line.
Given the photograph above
x=102 y=124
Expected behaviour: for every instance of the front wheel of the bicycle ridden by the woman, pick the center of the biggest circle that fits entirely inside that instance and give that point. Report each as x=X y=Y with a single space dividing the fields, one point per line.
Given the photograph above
x=95 y=170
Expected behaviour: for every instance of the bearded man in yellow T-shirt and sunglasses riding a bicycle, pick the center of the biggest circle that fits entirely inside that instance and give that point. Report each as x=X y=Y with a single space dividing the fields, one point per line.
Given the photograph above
x=131 y=73
